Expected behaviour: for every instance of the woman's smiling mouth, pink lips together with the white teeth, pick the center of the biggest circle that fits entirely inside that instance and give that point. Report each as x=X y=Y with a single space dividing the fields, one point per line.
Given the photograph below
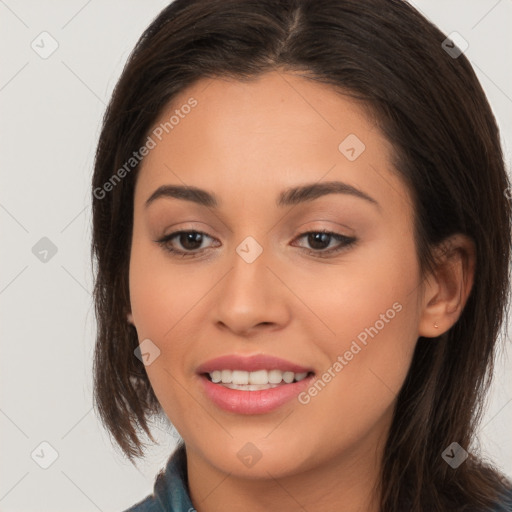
x=252 y=385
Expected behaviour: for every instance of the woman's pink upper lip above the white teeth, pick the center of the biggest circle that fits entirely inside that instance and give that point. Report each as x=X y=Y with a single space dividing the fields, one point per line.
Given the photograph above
x=250 y=363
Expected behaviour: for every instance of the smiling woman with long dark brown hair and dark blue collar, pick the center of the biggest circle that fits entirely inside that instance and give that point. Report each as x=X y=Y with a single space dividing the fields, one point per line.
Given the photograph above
x=302 y=235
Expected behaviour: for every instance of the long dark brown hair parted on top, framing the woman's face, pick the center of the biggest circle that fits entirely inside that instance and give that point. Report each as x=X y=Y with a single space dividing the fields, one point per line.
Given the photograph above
x=431 y=108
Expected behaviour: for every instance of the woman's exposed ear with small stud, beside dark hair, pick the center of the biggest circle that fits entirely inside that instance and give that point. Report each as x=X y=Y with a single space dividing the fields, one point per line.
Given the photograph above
x=447 y=289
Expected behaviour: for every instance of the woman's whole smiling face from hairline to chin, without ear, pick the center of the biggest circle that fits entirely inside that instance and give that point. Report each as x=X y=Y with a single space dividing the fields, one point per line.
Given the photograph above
x=344 y=310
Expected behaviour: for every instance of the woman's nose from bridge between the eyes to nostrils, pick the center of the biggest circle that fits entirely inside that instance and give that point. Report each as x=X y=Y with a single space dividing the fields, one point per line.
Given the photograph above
x=251 y=297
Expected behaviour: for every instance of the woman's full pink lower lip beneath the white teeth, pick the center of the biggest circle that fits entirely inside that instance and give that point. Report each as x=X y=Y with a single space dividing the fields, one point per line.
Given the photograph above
x=253 y=402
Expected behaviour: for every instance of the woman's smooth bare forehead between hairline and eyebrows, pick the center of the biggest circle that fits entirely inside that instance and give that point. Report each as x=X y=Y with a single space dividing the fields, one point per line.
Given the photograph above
x=273 y=132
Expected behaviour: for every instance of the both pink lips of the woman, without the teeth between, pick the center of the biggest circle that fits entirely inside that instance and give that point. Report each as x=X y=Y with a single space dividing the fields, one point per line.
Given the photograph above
x=252 y=402
